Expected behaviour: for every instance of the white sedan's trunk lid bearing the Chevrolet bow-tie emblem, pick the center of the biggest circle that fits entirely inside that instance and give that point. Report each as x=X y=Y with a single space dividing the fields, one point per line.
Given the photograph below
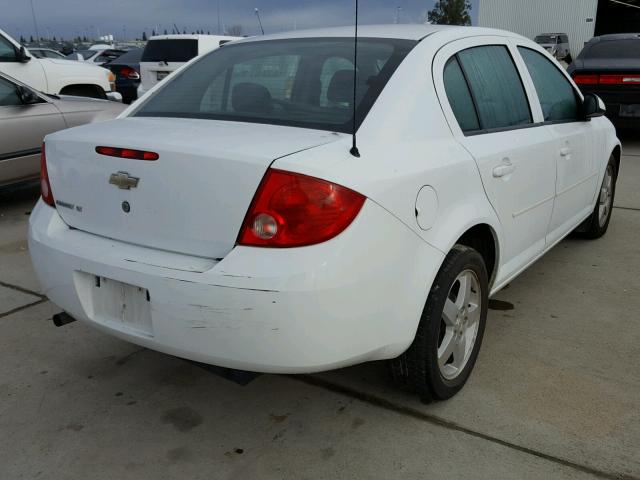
x=191 y=200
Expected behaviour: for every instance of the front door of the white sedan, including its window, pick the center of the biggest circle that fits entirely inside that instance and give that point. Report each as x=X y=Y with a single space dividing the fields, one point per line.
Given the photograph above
x=576 y=142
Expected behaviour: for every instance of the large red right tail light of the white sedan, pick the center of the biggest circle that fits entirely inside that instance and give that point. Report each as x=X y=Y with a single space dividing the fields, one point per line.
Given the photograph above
x=294 y=210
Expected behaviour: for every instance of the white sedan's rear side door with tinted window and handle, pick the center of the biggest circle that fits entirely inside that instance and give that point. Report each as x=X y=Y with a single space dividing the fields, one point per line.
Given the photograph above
x=489 y=109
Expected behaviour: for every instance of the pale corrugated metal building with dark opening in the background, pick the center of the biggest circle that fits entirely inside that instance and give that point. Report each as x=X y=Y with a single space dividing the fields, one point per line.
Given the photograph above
x=580 y=19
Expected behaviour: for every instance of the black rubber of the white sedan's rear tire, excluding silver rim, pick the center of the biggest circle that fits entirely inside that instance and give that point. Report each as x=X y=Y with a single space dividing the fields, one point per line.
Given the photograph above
x=416 y=370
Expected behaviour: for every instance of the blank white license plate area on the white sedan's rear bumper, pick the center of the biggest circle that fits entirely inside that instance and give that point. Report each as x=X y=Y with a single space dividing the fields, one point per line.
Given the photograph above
x=121 y=303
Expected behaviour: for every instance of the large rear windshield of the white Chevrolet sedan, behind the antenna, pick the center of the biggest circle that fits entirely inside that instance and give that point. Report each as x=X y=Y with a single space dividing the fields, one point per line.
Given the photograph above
x=302 y=82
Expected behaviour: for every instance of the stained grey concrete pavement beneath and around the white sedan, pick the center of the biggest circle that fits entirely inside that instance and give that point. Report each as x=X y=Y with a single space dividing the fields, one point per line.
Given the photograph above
x=555 y=393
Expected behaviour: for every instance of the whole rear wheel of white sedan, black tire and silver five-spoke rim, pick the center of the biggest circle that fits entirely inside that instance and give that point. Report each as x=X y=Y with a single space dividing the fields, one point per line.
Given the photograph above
x=418 y=369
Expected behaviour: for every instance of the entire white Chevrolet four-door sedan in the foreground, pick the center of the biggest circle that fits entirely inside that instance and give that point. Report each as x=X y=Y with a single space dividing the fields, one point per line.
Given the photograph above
x=226 y=218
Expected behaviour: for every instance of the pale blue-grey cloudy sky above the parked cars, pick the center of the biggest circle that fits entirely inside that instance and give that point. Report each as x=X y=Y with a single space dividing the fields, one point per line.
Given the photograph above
x=128 y=18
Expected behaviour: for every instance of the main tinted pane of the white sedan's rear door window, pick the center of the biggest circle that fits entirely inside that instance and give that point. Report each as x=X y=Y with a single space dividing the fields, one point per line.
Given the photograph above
x=496 y=86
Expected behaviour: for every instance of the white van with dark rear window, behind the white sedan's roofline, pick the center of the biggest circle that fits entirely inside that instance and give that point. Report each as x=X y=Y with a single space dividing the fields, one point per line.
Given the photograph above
x=164 y=54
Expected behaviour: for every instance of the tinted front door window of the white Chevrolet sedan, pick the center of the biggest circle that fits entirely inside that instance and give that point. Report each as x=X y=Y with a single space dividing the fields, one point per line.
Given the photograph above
x=557 y=96
